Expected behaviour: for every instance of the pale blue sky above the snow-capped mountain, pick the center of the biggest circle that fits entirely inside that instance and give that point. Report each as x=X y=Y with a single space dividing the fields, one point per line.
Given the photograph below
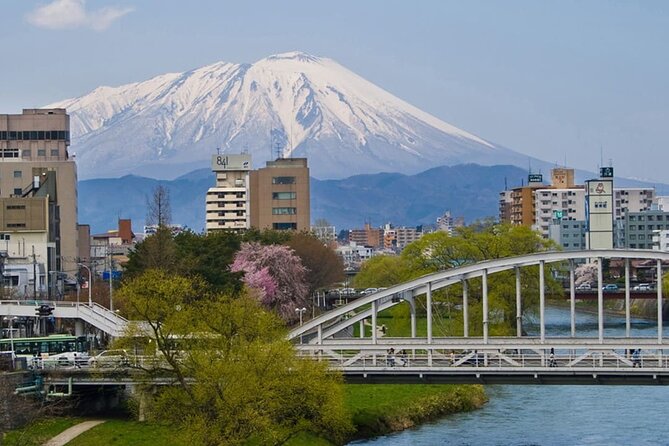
x=555 y=80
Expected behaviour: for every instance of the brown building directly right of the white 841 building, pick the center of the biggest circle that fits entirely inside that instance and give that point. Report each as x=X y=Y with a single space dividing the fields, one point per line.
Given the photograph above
x=280 y=195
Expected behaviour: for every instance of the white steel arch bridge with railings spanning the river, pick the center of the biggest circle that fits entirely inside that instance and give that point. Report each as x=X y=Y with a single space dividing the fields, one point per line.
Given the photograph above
x=575 y=358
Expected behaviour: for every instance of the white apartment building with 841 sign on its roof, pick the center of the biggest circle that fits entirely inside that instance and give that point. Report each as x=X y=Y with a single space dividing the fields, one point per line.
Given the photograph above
x=229 y=201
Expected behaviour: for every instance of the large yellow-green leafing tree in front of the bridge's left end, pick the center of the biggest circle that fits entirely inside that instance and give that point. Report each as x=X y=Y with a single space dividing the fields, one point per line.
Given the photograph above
x=238 y=380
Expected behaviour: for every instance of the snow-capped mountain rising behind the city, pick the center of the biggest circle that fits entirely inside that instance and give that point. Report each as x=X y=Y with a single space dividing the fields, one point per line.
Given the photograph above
x=294 y=104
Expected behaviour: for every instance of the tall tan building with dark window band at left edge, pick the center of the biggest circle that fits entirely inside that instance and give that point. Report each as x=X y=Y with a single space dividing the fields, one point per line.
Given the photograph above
x=35 y=166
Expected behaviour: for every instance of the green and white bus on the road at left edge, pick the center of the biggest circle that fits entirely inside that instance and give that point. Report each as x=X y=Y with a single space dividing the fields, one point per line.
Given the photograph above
x=45 y=346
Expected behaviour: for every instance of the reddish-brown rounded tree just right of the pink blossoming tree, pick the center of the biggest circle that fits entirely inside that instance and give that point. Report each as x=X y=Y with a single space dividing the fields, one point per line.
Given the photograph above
x=323 y=266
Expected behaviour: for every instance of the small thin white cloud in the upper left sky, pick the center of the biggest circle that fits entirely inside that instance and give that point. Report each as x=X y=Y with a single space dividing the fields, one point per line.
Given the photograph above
x=71 y=14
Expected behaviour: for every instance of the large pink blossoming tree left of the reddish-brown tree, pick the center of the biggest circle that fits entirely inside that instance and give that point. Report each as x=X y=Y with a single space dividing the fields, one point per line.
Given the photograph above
x=276 y=275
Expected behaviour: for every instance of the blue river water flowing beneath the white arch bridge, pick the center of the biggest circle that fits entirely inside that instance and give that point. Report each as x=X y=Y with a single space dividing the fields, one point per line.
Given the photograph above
x=556 y=415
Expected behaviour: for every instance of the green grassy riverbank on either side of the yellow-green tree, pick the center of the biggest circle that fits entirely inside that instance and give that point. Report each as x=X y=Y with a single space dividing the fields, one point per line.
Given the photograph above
x=375 y=409
